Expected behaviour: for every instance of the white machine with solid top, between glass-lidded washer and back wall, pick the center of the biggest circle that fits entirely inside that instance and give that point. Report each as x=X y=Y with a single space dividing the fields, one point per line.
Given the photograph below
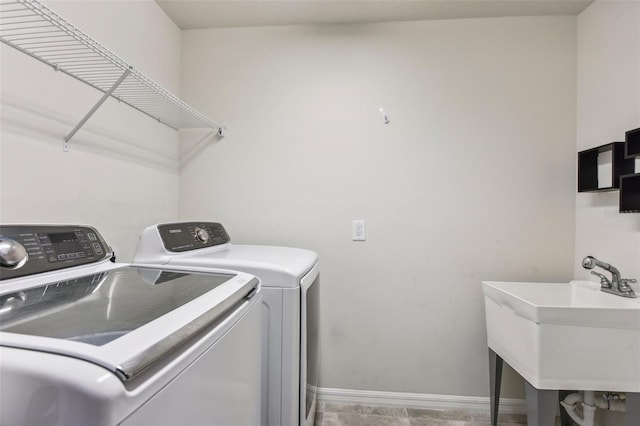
x=290 y=295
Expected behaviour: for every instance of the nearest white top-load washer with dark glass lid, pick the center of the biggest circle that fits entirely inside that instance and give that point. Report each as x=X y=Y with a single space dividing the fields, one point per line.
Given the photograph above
x=85 y=341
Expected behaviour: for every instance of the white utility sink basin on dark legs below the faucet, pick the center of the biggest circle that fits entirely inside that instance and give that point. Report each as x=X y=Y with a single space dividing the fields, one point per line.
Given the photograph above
x=565 y=335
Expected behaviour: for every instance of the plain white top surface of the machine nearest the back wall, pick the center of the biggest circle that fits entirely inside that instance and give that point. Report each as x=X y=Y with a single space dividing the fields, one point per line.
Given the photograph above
x=275 y=266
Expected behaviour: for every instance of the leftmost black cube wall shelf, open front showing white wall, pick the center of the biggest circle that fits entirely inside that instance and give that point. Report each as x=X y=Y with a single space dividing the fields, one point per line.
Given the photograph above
x=588 y=167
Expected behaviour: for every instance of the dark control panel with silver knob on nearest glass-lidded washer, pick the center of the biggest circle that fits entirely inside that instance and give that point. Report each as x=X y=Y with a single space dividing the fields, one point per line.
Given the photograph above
x=32 y=249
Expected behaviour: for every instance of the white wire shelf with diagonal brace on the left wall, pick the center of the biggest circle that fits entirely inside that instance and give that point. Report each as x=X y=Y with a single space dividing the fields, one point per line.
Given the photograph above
x=36 y=30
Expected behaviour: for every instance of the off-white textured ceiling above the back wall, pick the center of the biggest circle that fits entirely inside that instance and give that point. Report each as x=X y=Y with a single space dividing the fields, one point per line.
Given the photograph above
x=195 y=14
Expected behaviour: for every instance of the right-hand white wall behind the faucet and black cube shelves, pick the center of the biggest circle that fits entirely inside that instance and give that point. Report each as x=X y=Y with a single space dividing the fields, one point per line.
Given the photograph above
x=608 y=105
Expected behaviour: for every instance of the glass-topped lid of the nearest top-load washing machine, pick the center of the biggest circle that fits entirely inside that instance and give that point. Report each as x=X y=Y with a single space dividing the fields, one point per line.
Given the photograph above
x=124 y=319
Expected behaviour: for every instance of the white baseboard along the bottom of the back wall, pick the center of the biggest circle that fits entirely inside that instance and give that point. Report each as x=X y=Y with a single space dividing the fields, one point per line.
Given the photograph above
x=418 y=400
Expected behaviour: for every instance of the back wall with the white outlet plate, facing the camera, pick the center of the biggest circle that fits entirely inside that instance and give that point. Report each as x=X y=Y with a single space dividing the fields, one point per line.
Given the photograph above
x=473 y=179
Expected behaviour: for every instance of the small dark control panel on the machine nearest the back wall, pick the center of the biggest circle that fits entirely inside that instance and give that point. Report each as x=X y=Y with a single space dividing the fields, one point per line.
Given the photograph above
x=185 y=236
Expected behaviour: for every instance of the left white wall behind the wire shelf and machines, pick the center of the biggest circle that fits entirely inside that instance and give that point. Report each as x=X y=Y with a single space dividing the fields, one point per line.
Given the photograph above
x=121 y=173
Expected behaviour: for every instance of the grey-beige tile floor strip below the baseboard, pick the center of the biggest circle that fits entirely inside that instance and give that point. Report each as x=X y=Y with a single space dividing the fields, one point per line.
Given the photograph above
x=334 y=414
